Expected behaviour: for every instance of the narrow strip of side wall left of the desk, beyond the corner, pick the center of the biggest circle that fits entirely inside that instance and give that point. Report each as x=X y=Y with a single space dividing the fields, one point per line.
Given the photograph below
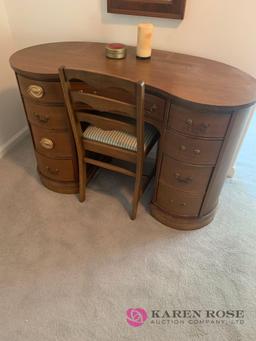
x=12 y=121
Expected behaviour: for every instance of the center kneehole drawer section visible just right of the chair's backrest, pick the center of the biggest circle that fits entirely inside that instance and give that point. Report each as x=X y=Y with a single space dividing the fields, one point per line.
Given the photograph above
x=154 y=107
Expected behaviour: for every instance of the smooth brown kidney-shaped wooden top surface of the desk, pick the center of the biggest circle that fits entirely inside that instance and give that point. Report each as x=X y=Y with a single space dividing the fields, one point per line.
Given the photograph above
x=189 y=78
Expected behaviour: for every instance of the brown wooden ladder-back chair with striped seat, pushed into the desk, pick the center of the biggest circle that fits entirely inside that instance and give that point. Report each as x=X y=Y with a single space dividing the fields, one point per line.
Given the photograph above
x=113 y=109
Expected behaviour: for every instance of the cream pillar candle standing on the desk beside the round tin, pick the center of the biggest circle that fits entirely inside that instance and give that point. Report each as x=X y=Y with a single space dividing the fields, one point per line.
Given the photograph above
x=144 y=43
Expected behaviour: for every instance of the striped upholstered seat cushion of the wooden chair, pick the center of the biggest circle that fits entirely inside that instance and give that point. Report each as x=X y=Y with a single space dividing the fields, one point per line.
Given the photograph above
x=119 y=139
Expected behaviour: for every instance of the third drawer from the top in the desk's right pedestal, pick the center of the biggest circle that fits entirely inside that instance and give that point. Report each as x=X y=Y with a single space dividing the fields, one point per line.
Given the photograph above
x=184 y=176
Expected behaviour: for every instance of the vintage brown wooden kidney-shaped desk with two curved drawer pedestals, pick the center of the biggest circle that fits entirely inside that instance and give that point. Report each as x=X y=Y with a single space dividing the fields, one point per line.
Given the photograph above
x=199 y=106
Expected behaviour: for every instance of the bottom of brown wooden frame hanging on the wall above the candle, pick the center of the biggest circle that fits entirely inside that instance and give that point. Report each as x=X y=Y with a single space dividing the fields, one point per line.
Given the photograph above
x=151 y=8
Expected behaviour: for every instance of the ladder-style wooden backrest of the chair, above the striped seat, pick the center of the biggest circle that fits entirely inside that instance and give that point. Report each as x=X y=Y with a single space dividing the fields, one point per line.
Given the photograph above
x=107 y=102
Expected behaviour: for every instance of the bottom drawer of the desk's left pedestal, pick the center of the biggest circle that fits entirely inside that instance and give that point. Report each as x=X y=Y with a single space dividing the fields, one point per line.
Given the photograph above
x=60 y=170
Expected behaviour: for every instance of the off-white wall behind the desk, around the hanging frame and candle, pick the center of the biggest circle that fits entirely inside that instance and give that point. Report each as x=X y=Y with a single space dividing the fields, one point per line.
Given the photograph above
x=224 y=30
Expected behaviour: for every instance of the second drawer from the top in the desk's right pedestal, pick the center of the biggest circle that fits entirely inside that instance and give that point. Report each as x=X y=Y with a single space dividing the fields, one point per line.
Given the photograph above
x=191 y=150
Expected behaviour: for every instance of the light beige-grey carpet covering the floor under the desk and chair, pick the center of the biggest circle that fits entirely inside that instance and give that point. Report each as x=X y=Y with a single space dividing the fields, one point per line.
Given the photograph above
x=69 y=271
